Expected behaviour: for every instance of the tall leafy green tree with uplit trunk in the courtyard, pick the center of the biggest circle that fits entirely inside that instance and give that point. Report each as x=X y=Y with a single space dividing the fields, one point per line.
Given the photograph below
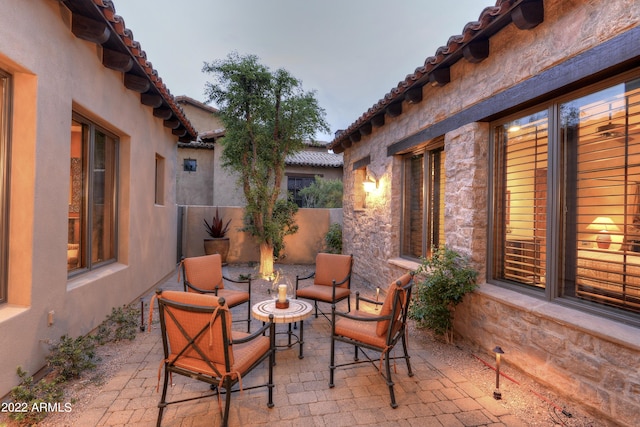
x=267 y=116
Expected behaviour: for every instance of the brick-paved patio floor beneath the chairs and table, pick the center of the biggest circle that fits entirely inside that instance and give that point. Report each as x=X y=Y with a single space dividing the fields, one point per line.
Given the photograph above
x=436 y=395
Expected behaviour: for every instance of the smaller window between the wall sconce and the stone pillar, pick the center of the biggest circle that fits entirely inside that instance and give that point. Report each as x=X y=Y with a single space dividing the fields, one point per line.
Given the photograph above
x=423 y=223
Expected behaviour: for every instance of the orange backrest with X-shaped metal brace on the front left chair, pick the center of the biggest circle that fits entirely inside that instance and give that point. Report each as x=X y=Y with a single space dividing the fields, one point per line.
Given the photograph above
x=196 y=326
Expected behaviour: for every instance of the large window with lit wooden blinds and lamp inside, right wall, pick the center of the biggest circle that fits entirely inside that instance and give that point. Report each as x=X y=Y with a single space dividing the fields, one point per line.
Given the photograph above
x=567 y=199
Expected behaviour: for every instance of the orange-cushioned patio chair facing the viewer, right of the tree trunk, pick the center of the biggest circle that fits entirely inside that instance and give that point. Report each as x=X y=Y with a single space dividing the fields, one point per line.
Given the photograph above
x=331 y=281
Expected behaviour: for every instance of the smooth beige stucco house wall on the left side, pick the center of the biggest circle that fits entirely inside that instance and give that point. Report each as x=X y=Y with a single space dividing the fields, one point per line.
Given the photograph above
x=55 y=73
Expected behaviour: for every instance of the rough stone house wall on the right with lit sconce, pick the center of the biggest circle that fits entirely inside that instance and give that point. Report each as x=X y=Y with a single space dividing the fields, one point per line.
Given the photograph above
x=576 y=353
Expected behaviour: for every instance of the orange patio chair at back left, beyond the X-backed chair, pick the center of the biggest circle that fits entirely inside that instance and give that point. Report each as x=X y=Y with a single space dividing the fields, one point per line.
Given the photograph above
x=203 y=274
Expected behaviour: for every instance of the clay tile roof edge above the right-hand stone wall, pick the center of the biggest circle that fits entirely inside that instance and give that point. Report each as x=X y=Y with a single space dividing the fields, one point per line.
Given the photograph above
x=444 y=56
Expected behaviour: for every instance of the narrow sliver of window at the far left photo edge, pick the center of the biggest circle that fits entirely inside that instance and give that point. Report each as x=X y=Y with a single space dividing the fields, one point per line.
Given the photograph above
x=5 y=87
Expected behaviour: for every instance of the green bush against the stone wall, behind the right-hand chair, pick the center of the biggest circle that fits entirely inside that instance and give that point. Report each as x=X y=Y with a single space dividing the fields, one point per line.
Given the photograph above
x=448 y=277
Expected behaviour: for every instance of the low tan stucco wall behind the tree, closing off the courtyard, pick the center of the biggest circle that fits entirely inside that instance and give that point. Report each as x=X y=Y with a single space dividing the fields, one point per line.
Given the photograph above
x=300 y=248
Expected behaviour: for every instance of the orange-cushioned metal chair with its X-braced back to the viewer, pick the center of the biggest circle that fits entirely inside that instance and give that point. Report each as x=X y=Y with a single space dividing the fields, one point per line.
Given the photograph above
x=198 y=343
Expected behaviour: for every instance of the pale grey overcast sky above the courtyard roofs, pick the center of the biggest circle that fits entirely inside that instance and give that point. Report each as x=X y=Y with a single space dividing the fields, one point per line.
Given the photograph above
x=350 y=52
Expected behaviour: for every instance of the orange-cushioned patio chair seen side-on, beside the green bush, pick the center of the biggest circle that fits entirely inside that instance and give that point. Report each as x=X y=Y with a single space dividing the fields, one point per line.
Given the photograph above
x=379 y=332
